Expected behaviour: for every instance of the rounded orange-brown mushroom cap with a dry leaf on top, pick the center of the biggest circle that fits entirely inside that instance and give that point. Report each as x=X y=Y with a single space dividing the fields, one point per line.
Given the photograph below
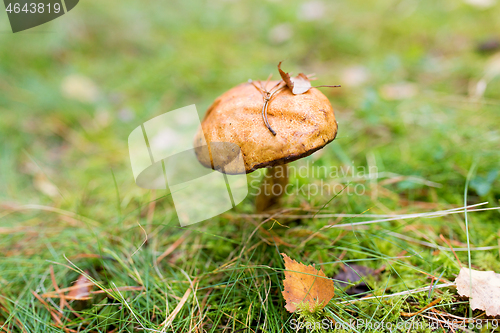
x=303 y=123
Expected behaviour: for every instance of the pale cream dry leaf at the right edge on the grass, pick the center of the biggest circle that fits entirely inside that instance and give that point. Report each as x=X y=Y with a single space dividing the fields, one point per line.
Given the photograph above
x=485 y=288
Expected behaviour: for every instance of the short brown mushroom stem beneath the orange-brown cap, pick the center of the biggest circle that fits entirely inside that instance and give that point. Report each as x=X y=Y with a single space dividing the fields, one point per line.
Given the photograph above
x=272 y=188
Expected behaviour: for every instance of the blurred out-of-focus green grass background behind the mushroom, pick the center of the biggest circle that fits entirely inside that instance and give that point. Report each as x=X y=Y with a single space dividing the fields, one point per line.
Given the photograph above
x=73 y=89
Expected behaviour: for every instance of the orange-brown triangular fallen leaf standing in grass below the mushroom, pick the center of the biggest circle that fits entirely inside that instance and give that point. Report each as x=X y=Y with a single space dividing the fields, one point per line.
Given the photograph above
x=305 y=284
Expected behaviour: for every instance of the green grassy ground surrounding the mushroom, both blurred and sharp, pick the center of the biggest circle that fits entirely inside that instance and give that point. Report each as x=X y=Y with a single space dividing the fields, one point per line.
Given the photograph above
x=68 y=198
